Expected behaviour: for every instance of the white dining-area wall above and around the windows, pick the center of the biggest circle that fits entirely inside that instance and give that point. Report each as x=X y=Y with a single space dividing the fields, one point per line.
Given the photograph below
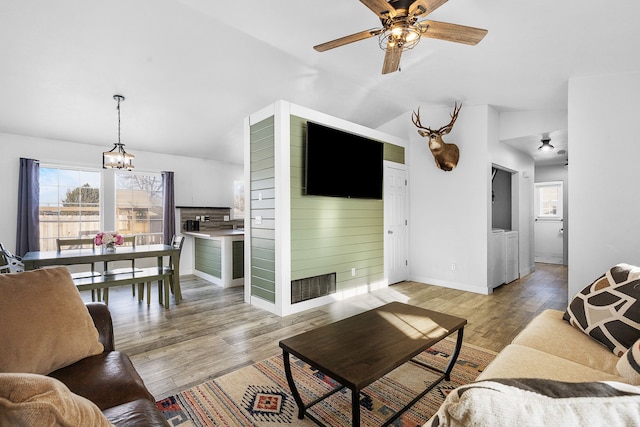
x=198 y=182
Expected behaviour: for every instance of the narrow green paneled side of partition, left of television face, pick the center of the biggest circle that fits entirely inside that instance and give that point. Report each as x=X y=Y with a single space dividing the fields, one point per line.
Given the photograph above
x=262 y=203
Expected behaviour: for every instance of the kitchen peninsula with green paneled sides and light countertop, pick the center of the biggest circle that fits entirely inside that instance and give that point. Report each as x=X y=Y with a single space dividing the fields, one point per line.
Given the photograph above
x=219 y=256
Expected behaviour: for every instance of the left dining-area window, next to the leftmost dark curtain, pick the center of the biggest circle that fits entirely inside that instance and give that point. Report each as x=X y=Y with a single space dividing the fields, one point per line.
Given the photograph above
x=69 y=204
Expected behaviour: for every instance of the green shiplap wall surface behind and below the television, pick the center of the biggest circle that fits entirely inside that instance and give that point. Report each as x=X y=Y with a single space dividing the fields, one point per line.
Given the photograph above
x=332 y=234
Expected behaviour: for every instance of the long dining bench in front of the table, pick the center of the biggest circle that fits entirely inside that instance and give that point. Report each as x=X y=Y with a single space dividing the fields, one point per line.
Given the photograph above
x=138 y=276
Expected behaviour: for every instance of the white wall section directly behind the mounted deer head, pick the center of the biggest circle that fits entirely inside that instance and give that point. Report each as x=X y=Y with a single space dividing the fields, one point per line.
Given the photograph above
x=448 y=210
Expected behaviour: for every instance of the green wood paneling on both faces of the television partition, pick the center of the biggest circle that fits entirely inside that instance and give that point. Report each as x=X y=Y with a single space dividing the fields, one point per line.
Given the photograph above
x=327 y=234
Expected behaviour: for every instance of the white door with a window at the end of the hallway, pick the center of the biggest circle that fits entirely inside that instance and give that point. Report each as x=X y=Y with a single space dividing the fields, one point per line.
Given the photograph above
x=548 y=229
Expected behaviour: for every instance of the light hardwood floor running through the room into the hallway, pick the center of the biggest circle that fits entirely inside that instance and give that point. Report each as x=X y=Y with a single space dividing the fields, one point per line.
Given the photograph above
x=213 y=331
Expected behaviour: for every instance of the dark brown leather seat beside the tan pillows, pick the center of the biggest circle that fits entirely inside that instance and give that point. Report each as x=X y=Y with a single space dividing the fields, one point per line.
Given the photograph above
x=110 y=380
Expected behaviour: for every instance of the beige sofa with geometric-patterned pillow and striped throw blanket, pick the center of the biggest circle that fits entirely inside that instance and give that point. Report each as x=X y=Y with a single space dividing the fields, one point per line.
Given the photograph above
x=581 y=371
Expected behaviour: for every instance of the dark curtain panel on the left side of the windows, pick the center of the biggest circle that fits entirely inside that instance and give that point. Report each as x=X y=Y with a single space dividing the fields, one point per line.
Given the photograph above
x=28 y=229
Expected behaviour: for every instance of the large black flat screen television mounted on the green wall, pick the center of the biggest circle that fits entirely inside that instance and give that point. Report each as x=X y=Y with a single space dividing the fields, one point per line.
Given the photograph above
x=341 y=164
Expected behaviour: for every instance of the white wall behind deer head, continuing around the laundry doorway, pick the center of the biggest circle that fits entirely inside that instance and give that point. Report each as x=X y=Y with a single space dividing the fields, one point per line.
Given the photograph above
x=450 y=212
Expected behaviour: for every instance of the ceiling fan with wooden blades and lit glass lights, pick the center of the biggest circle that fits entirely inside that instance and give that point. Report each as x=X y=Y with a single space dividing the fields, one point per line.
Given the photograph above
x=401 y=30
